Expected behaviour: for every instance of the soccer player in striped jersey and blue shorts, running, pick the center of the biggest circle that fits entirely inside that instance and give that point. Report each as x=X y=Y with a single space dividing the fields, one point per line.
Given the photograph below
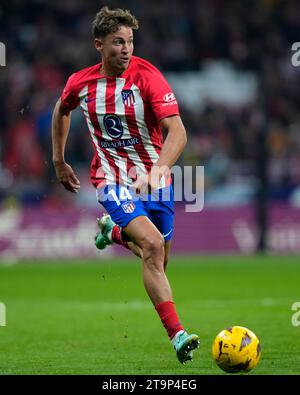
x=127 y=104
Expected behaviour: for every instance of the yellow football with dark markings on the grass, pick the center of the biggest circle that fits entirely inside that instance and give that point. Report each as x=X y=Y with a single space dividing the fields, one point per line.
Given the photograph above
x=236 y=349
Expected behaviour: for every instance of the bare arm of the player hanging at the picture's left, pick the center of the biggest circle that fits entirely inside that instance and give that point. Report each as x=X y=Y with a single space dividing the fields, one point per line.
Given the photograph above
x=61 y=120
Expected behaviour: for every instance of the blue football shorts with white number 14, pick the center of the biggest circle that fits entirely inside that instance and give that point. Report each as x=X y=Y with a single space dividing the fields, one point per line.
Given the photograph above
x=124 y=205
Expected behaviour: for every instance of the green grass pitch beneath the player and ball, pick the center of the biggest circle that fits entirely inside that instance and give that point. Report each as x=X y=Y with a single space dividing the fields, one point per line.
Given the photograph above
x=95 y=317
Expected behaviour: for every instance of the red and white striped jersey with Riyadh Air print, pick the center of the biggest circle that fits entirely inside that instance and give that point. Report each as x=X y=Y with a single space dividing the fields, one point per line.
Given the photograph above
x=122 y=114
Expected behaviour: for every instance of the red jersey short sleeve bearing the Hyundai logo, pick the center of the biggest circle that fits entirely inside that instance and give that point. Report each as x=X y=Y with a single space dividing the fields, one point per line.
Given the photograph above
x=160 y=96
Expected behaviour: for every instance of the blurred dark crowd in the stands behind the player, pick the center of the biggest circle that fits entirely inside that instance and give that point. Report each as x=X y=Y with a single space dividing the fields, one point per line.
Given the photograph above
x=47 y=41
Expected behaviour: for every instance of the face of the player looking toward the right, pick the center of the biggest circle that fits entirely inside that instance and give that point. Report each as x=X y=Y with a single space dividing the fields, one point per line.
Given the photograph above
x=116 y=50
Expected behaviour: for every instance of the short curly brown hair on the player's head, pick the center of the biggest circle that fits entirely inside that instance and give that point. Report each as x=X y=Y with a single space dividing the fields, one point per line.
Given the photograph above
x=108 y=21
